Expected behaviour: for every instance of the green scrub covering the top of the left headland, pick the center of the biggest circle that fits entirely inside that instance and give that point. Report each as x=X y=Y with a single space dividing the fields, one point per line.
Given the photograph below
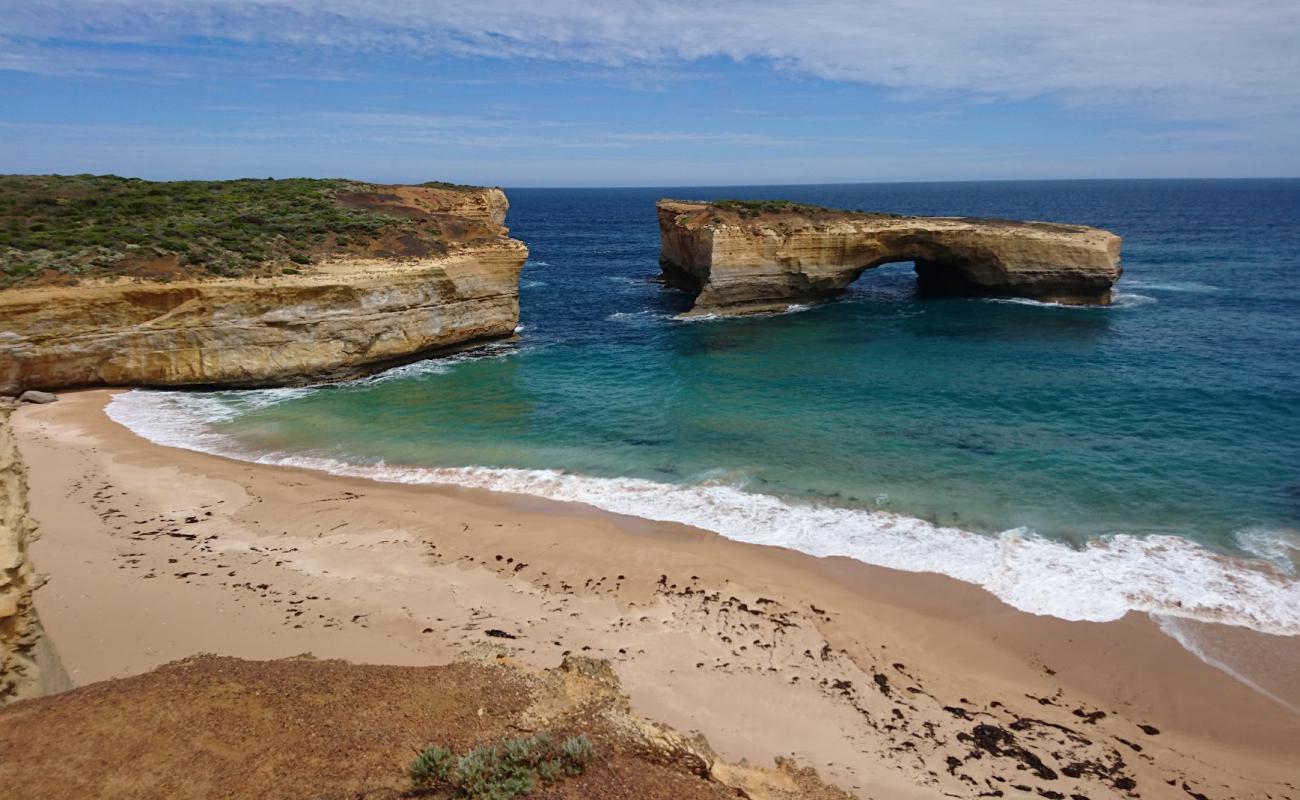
x=105 y=226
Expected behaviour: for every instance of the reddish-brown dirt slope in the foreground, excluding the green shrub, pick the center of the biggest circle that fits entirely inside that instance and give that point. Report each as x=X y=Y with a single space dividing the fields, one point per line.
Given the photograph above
x=226 y=728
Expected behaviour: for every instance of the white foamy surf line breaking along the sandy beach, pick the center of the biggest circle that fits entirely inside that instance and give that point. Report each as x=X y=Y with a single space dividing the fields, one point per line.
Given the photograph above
x=1164 y=576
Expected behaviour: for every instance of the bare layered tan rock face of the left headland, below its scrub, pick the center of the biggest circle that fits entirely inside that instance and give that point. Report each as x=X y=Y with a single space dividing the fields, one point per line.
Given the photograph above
x=350 y=314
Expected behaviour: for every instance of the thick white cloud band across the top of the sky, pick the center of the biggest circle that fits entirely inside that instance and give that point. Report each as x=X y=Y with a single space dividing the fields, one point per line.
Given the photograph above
x=1180 y=58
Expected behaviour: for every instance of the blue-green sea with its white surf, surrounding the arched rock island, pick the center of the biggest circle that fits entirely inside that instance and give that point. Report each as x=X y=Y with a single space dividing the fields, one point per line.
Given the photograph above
x=1077 y=462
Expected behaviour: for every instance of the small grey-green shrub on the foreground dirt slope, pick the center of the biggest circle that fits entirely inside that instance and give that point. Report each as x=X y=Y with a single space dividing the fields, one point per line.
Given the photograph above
x=501 y=772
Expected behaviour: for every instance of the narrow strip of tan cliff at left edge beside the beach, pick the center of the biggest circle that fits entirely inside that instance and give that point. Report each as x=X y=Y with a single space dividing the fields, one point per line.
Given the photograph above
x=28 y=663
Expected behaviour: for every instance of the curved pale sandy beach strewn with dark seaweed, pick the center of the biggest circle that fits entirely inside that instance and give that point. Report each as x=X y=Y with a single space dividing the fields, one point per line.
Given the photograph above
x=281 y=560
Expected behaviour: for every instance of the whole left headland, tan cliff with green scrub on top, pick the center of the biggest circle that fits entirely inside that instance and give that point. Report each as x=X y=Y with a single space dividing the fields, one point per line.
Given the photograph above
x=249 y=283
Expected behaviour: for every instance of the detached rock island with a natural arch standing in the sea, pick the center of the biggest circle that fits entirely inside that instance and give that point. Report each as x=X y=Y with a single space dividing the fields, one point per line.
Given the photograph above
x=744 y=258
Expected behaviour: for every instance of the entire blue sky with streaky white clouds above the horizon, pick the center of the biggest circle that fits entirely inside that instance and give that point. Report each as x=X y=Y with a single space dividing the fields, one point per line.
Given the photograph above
x=592 y=93
